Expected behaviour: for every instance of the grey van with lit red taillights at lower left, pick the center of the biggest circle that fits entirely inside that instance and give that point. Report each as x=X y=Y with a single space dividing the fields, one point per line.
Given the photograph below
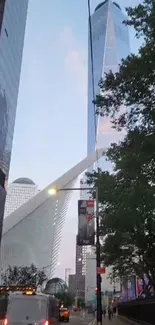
x=29 y=307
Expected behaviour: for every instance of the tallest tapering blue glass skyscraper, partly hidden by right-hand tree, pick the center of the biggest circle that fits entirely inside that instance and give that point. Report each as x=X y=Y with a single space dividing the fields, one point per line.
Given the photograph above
x=110 y=42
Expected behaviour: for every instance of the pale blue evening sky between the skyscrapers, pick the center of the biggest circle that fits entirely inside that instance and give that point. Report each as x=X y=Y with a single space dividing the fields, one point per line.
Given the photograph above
x=51 y=123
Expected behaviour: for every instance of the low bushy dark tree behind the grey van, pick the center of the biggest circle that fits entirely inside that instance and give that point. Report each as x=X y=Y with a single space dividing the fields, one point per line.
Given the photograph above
x=26 y=275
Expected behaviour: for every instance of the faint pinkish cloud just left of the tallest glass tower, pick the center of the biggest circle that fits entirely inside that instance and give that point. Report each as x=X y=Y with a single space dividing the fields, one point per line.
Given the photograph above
x=74 y=62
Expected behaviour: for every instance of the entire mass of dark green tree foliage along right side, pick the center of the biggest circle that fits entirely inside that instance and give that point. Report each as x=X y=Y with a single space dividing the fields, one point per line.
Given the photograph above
x=127 y=203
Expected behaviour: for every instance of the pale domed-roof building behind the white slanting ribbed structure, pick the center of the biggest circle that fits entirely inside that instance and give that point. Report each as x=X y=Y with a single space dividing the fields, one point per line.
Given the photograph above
x=18 y=193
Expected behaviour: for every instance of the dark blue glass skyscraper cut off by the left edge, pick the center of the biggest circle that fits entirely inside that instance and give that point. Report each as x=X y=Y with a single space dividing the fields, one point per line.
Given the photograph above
x=12 y=30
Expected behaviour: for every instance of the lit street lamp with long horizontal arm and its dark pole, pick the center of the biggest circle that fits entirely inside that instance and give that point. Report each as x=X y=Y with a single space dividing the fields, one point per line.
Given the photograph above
x=54 y=191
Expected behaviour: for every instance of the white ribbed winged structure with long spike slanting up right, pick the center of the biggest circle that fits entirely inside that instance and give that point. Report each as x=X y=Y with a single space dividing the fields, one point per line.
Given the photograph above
x=32 y=233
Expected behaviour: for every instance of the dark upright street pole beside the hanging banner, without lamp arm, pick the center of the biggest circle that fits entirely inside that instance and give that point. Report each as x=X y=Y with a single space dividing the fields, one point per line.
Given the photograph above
x=98 y=264
